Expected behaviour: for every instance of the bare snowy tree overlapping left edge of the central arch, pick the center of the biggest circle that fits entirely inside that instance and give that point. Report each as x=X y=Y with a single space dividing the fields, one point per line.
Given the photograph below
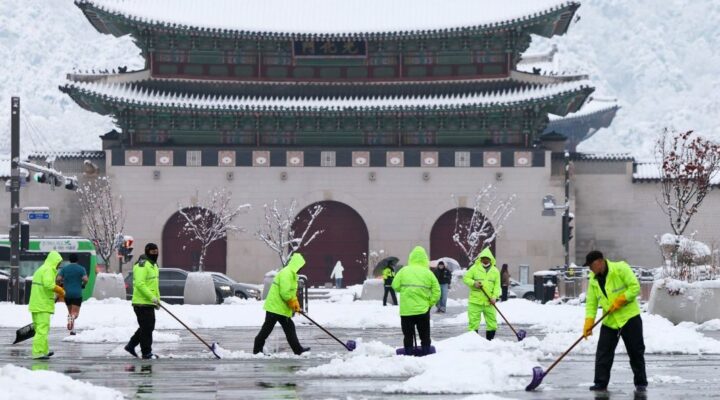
x=279 y=234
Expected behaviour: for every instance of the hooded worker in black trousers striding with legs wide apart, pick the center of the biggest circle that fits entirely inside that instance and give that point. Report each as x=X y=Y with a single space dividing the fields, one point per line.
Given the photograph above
x=280 y=304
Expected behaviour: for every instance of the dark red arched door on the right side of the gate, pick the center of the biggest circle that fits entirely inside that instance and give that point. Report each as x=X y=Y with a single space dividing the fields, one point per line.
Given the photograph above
x=441 y=236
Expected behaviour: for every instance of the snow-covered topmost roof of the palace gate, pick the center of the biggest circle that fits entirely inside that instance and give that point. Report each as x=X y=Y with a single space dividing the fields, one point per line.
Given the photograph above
x=356 y=18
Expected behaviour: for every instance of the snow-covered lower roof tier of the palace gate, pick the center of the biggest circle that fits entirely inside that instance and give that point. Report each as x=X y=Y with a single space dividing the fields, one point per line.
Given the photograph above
x=130 y=94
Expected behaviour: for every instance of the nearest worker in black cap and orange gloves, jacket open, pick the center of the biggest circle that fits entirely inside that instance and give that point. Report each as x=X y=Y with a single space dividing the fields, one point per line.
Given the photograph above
x=613 y=286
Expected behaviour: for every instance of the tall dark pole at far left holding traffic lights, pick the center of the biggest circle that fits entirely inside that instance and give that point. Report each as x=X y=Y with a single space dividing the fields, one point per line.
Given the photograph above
x=14 y=286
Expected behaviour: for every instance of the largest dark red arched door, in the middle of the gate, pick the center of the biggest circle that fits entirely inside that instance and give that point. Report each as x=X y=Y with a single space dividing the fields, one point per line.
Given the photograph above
x=344 y=238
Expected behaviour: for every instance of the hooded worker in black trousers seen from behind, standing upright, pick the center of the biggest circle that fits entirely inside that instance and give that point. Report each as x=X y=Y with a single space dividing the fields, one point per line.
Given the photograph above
x=419 y=290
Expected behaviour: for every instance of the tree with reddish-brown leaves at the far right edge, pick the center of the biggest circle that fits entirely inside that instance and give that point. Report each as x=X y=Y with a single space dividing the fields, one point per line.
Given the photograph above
x=688 y=166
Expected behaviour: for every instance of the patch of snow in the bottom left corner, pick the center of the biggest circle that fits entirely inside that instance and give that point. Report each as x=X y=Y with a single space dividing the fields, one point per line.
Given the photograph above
x=22 y=384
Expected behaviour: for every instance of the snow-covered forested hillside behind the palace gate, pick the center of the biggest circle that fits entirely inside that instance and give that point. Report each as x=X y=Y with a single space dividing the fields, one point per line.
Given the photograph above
x=657 y=57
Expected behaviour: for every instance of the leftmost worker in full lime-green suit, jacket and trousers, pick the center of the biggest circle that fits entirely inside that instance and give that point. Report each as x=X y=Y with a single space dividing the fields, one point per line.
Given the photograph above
x=42 y=303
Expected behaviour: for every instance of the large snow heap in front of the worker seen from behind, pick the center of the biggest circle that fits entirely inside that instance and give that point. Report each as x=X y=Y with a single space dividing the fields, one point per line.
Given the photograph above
x=505 y=366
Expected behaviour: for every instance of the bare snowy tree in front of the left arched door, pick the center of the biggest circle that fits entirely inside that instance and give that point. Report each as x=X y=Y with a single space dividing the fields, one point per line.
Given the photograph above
x=210 y=220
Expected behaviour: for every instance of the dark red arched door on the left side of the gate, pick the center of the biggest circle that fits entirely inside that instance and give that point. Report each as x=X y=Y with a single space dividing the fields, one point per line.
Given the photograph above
x=179 y=251
